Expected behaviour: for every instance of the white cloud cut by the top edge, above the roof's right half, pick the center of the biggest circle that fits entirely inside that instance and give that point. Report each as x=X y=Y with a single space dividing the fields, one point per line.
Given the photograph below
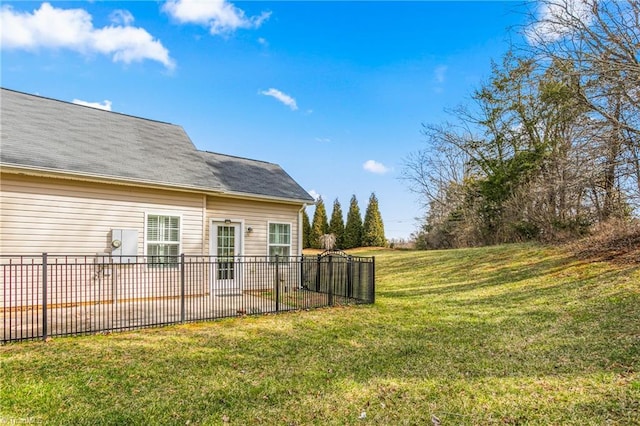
x=219 y=16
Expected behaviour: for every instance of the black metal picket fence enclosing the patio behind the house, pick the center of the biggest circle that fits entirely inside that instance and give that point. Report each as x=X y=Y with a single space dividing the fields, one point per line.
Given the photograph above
x=55 y=295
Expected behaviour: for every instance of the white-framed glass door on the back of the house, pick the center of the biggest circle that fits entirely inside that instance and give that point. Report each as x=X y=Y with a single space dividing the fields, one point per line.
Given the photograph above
x=226 y=274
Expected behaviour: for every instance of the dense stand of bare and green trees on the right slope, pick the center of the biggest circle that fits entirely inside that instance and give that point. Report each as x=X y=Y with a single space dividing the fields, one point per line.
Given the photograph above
x=549 y=145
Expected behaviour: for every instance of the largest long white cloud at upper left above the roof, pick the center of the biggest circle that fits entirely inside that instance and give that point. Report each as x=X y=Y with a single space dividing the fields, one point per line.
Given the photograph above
x=53 y=28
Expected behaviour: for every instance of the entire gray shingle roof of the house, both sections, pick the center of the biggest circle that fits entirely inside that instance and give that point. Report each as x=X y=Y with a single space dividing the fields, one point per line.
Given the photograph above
x=43 y=133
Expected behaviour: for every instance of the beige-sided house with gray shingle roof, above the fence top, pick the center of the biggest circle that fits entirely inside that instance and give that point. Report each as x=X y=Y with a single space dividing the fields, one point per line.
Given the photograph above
x=83 y=181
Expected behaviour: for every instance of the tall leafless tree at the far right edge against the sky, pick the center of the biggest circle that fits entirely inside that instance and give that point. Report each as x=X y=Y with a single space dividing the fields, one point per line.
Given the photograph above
x=600 y=40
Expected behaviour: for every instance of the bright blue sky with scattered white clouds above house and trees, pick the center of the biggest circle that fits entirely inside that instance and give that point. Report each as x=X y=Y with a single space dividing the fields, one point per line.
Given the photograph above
x=334 y=92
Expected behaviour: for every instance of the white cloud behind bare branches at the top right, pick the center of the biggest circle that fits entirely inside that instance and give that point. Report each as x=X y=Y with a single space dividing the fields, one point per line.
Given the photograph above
x=552 y=19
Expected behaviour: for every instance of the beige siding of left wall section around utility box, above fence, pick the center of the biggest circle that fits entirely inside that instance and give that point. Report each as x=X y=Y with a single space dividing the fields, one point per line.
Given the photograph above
x=61 y=216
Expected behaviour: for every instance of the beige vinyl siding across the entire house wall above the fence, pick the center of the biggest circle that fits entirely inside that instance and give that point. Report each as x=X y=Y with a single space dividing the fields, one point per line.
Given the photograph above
x=63 y=216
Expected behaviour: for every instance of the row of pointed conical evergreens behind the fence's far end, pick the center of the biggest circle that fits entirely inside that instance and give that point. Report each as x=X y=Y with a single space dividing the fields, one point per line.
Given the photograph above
x=355 y=233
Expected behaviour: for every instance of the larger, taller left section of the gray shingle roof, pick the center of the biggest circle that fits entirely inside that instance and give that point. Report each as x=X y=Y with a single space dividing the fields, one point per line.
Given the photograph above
x=49 y=134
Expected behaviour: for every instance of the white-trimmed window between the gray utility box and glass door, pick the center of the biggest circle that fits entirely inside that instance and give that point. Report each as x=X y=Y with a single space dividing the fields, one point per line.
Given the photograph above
x=163 y=238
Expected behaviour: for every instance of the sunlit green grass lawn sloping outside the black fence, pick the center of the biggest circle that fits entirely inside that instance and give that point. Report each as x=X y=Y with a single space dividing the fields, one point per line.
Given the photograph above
x=517 y=334
